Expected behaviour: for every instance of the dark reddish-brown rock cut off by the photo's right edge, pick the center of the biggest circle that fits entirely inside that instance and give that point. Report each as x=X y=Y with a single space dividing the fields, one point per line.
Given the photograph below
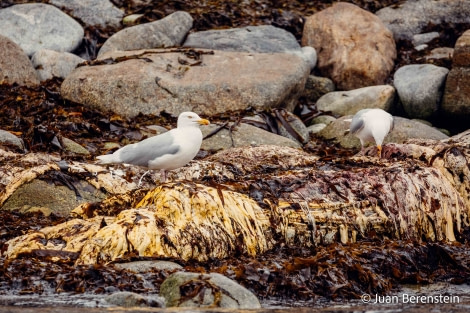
x=456 y=100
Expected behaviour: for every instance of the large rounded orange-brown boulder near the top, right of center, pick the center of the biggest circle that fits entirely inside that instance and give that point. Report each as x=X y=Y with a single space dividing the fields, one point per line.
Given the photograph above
x=354 y=47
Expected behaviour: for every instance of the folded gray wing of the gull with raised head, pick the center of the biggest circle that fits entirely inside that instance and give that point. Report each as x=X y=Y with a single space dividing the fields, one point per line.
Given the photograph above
x=149 y=149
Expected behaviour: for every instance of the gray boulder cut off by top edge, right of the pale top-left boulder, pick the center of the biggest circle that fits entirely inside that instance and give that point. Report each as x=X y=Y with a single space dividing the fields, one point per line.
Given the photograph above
x=98 y=13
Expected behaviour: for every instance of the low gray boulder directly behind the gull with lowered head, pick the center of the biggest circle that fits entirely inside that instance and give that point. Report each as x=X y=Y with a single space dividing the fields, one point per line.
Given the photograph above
x=403 y=130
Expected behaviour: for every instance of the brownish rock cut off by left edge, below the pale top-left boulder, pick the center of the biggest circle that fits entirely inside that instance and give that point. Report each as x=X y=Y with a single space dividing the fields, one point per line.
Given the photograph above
x=15 y=66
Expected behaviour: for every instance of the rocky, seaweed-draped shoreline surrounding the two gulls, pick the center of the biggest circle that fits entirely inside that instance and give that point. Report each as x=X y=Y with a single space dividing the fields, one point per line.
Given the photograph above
x=276 y=170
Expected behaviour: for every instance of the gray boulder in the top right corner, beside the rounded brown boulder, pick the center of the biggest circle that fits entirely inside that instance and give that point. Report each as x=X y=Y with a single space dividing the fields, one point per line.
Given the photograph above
x=412 y=16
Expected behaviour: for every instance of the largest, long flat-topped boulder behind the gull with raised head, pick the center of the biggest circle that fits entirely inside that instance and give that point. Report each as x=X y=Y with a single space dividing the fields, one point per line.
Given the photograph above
x=157 y=81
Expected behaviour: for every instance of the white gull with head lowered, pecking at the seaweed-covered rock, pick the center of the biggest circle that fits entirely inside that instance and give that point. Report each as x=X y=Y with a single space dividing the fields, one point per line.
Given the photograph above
x=372 y=125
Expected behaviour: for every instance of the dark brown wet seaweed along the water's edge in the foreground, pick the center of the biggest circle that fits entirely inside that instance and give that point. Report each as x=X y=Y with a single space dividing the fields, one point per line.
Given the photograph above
x=333 y=272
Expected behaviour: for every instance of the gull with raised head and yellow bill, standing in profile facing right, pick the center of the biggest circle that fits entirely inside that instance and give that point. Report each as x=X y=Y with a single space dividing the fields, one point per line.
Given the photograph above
x=167 y=151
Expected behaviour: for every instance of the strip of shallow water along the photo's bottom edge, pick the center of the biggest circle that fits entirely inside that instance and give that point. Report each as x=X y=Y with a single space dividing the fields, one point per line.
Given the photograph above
x=439 y=297
